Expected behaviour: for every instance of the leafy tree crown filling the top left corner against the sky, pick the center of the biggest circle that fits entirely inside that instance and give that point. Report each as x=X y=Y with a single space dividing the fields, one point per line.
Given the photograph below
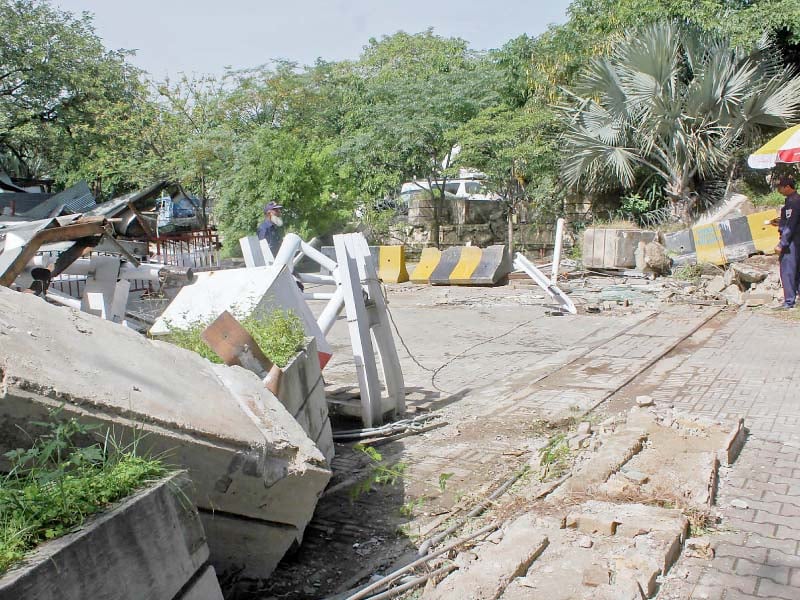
x=59 y=87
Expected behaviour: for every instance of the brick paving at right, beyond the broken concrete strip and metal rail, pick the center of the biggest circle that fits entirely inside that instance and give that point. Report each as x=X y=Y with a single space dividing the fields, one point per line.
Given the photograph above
x=749 y=368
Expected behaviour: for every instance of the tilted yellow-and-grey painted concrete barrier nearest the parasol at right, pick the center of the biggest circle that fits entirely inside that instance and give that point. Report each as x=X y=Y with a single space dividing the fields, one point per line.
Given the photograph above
x=725 y=241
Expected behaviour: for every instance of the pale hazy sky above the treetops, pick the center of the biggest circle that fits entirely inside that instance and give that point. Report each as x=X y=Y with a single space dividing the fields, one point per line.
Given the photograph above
x=206 y=36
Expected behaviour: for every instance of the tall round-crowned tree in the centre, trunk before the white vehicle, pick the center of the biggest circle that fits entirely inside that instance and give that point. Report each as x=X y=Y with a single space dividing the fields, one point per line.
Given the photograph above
x=415 y=91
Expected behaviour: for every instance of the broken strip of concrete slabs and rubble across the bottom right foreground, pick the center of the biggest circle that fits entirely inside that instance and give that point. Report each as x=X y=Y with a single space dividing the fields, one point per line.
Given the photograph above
x=605 y=531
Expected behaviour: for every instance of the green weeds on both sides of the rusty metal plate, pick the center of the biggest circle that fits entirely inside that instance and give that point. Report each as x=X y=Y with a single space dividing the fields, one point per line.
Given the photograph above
x=280 y=336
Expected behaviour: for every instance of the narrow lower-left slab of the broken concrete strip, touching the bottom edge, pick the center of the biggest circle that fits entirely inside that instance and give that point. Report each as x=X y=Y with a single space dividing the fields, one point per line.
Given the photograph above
x=497 y=566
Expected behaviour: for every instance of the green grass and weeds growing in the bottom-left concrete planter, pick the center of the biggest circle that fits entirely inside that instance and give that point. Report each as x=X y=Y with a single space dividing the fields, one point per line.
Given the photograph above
x=56 y=483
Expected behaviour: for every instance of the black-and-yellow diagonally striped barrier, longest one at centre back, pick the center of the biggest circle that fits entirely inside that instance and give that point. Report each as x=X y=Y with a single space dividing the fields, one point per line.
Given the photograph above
x=463 y=265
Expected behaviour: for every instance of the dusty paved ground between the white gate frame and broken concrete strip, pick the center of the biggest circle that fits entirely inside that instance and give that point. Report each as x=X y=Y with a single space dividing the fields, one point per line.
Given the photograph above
x=502 y=378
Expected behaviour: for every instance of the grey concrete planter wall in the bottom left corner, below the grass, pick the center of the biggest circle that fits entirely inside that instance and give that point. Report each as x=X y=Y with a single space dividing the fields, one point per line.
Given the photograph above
x=124 y=548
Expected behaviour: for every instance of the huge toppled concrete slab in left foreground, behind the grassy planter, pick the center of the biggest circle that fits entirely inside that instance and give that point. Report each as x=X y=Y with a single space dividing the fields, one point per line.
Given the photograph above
x=256 y=474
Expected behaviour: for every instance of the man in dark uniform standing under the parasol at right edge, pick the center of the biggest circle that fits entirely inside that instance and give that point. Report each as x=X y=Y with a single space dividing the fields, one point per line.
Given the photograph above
x=789 y=245
